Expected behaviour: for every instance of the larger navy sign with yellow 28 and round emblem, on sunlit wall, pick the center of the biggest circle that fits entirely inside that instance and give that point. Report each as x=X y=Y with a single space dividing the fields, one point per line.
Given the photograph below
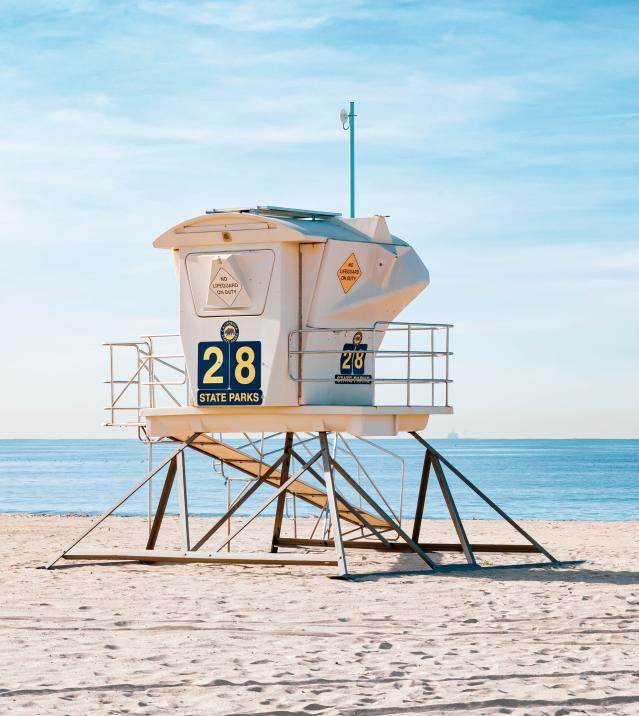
x=229 y=371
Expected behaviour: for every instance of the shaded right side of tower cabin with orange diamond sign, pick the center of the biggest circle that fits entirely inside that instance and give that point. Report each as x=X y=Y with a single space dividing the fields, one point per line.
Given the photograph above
x=347 y=287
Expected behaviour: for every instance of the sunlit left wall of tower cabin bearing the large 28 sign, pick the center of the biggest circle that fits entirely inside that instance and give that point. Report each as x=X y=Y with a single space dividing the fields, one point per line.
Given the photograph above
x=237 y=308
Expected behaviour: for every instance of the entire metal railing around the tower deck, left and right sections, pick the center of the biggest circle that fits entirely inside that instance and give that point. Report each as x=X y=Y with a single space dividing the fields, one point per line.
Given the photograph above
x=151 y=373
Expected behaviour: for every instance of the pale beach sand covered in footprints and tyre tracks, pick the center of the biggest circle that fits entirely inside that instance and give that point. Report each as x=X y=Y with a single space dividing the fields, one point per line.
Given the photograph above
x=199 y=639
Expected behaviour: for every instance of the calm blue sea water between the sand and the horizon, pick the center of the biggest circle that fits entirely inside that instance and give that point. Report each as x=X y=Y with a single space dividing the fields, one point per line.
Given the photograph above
x=530 y=479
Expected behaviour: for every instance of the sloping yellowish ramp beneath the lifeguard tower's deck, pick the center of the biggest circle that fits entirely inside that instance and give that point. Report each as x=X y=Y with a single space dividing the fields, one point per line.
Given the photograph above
x=255 y=468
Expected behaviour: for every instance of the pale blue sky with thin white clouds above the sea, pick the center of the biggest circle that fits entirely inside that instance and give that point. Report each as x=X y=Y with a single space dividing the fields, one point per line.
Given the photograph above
x=501 y=138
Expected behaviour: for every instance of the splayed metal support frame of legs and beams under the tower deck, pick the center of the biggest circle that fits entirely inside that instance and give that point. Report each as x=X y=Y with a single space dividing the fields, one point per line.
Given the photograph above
x=335 y=506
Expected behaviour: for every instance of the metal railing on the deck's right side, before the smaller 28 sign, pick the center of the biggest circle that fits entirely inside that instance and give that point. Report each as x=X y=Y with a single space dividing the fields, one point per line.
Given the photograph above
x=432 y=370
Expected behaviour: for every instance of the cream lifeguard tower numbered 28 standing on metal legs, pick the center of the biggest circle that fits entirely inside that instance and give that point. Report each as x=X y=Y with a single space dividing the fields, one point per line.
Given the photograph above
x=287 y=330
